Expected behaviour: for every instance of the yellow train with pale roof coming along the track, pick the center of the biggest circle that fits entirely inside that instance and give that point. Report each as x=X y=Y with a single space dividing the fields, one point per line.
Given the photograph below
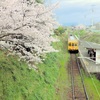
x=72 y=44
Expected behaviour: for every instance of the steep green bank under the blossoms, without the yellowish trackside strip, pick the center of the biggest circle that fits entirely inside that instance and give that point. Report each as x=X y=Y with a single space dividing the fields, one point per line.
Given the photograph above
x=18 y=82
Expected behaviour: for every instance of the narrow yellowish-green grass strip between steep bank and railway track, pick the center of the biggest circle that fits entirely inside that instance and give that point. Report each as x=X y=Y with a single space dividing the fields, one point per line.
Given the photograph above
x=62 y=83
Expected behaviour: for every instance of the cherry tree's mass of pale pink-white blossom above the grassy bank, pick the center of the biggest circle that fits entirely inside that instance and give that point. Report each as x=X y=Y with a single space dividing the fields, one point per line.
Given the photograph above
x=25 y=29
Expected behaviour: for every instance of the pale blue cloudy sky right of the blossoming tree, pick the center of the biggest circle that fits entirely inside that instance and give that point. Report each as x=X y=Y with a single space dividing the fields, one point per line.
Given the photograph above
x=75 y=12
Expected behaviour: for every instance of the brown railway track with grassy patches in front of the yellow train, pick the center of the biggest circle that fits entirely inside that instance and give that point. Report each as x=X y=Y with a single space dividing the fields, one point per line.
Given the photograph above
x=77 y=82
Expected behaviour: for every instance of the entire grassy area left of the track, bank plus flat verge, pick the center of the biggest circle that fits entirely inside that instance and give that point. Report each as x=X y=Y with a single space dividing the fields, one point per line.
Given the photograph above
x=18 y=82
